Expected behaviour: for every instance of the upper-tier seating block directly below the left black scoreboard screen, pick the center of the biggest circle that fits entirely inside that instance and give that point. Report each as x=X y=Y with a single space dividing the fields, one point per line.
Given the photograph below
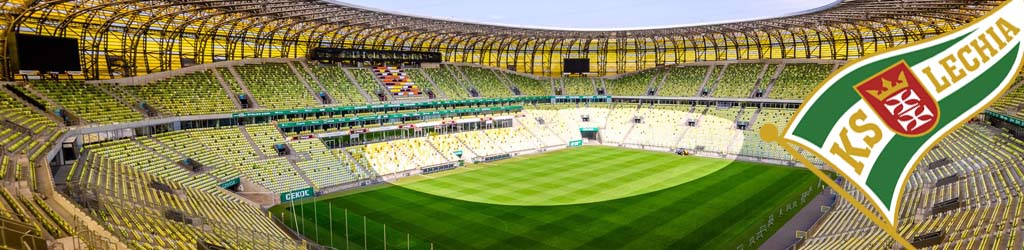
x=88 y=102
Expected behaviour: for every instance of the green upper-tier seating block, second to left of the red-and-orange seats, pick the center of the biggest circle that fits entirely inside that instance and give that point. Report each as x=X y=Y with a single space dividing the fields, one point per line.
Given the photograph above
x=276 y=87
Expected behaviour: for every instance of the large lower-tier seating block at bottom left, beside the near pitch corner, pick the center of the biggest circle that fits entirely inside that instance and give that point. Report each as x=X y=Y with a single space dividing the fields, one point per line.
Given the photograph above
x=150 y=213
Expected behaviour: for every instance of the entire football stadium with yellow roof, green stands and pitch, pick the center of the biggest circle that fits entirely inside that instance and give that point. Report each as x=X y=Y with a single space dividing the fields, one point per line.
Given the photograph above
x=316 y=124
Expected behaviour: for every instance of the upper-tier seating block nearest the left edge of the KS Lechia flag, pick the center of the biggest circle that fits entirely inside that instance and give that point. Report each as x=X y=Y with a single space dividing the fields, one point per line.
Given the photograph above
x=798 y=80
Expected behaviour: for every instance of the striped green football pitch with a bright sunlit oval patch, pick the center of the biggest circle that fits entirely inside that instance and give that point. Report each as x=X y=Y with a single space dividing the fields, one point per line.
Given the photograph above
x=585 y=198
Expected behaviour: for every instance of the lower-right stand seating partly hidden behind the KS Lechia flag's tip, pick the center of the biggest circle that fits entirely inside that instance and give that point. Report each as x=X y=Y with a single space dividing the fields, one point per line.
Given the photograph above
x=988 y=171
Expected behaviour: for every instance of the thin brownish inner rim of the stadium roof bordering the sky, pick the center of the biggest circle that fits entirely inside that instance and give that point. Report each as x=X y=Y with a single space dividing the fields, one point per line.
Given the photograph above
x=843 y=13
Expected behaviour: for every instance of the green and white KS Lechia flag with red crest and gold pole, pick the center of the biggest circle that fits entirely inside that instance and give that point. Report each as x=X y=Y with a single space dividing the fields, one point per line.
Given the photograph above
x=874 y=119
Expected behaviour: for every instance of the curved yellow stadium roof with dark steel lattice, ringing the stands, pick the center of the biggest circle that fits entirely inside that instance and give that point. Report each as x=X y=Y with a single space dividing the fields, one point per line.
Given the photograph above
x=153 y=36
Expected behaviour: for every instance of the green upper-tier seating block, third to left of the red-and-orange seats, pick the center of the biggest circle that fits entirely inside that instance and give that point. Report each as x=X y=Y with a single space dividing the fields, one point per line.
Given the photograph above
x=195 y=94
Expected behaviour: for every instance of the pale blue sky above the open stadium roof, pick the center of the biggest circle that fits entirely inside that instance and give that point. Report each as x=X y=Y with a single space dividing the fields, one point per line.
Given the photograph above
x=594 y=14
